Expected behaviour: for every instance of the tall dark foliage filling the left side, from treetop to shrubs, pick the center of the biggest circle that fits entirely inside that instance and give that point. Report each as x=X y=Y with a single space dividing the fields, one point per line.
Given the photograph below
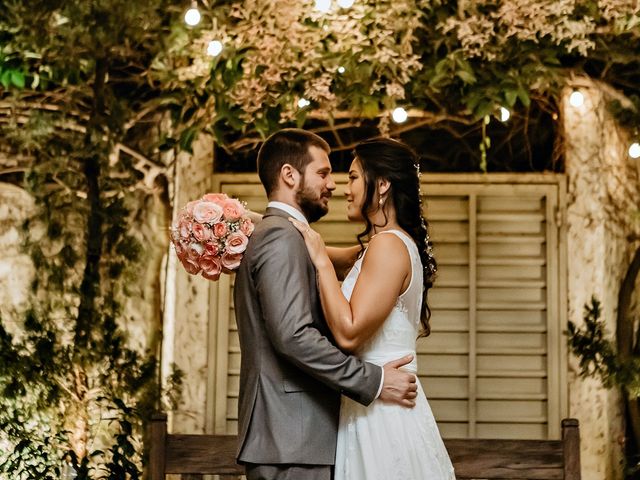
x=75 y=391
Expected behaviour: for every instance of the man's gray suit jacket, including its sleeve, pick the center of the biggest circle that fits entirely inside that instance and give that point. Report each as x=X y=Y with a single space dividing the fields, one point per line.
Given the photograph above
x=291 y=373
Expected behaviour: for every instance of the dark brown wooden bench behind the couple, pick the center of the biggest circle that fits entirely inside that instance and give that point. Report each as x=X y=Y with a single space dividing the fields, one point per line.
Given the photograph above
x=195 y=455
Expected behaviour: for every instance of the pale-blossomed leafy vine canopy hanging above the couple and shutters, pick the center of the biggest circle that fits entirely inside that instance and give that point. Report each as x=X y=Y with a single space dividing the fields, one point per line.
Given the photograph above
x=455 y=61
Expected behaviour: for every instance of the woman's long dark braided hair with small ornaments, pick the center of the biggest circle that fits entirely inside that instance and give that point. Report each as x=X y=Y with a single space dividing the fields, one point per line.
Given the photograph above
x=384 y=158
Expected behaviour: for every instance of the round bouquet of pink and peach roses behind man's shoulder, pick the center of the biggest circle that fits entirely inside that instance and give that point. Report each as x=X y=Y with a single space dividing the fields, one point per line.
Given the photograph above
x=210 y=235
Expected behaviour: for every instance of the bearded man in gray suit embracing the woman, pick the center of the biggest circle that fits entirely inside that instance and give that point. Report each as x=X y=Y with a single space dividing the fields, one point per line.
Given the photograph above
x=292 y=374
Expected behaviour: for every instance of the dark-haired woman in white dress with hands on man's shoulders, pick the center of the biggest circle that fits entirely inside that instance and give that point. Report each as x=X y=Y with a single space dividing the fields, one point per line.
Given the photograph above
x=379 y=311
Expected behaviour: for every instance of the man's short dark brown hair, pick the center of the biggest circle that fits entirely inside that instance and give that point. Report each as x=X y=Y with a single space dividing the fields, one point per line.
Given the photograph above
x=290 y=145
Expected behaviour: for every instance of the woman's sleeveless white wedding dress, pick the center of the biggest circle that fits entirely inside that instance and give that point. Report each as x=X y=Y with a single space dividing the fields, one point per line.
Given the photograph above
x=384 y=441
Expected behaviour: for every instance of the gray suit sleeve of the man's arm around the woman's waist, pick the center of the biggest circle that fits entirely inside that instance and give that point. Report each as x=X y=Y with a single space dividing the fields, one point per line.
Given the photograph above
x=281 y=279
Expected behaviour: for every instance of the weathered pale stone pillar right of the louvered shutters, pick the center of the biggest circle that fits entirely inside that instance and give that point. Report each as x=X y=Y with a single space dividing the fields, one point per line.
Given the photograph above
x=603 y=193
